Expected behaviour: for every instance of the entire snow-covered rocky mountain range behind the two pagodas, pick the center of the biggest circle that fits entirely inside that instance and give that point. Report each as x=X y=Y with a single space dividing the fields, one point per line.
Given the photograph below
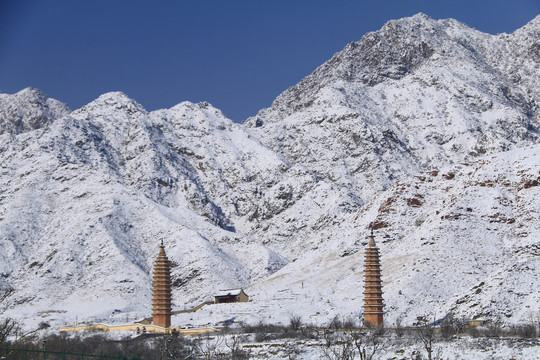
x=426 y=128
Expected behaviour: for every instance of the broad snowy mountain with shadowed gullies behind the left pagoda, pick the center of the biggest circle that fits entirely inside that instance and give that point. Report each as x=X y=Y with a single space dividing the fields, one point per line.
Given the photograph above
x=98 y=189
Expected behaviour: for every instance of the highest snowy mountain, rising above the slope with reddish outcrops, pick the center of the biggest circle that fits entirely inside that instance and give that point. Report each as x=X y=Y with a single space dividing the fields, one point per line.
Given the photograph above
x=417 y=93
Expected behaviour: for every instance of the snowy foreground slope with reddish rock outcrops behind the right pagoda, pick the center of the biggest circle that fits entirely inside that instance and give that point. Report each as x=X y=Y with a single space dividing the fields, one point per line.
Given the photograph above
x=460 y=239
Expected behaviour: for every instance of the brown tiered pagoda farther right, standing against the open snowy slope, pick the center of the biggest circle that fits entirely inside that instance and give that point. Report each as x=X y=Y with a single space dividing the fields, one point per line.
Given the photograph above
x=373 y=302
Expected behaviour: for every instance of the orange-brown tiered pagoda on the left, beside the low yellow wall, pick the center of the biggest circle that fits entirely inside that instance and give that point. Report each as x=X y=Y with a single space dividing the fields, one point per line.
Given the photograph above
x=162 y=290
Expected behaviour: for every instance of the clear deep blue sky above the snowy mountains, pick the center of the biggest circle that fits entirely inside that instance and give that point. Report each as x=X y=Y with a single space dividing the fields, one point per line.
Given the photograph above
x=237 y=55
